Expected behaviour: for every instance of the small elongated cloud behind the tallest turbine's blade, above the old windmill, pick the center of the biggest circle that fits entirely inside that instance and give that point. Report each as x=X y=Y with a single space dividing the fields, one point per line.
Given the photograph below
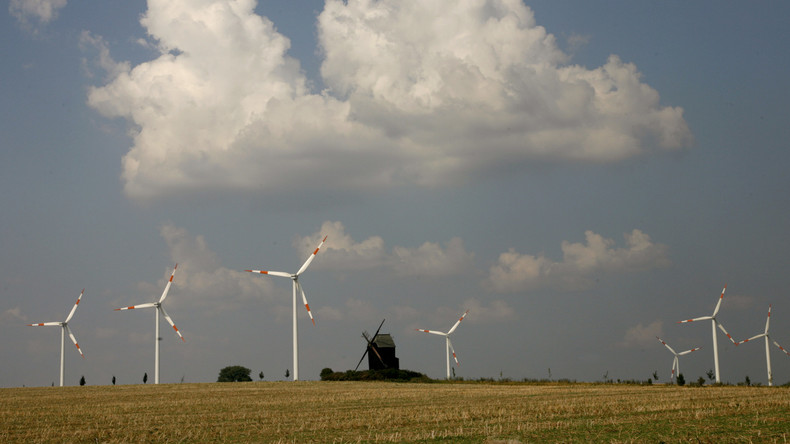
x=345 y=254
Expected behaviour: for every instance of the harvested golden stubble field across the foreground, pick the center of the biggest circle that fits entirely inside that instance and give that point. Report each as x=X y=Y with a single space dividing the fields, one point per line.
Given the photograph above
x=394 y=412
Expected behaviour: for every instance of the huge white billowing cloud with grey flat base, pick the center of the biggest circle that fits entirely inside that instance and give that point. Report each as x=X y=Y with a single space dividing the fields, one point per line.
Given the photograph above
x=418 y=92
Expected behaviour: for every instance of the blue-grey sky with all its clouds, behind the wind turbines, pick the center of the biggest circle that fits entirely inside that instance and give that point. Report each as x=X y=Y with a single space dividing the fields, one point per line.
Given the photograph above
x=580 y=178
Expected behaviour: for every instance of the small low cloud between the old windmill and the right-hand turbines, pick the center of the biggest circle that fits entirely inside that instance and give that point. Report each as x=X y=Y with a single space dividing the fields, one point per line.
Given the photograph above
x=581 y=264
